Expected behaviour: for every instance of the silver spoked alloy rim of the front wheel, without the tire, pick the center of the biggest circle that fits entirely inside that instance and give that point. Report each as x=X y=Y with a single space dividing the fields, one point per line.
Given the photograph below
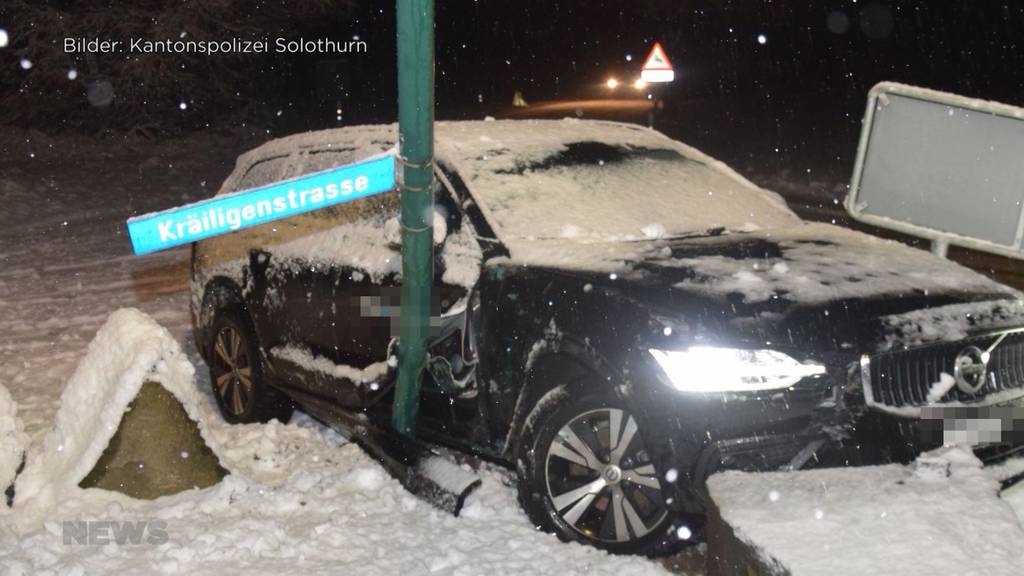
x=601 y=479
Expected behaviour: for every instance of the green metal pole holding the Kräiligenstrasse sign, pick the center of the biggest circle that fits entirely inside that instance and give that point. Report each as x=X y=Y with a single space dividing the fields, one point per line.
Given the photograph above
x=416 y=157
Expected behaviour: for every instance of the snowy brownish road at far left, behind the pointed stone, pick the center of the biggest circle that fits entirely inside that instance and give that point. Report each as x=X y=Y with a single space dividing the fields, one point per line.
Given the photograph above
x=66 y=263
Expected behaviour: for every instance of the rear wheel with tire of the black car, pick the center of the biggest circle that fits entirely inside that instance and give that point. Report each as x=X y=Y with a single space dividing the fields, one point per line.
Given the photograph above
x=237 y=375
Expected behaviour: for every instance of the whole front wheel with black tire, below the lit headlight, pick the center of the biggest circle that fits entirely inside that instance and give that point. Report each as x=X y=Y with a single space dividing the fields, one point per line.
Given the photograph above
x=578 y=484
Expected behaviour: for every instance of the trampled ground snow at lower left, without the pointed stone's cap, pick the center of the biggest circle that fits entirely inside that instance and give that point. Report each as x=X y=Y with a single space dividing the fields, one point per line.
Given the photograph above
x=301 y=500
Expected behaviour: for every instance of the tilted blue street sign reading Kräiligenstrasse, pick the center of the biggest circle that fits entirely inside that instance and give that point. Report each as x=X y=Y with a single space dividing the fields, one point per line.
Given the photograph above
x=261 y=205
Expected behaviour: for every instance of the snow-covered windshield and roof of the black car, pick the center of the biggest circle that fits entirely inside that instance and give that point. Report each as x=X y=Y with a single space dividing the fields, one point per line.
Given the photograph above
x=574 y=179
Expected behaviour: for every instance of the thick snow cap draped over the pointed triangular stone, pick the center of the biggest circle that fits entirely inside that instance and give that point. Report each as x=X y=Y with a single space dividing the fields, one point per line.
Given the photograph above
x=129 y=351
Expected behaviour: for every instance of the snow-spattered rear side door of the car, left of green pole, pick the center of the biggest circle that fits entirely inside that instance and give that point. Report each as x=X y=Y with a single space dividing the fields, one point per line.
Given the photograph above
x=309 y=274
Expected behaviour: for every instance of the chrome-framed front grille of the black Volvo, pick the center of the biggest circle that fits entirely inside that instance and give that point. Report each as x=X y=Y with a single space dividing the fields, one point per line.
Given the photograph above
x=904 y=379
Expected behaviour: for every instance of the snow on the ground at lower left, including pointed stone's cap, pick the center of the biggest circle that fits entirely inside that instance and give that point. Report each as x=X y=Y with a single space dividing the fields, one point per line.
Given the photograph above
x=300 y=498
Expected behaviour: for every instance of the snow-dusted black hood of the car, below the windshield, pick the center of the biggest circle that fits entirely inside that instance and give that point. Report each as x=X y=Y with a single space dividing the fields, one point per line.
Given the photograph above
x=806 y=264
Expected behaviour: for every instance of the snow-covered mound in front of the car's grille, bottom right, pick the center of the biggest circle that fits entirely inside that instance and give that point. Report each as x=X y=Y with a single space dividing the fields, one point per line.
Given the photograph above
x=941 y=516
